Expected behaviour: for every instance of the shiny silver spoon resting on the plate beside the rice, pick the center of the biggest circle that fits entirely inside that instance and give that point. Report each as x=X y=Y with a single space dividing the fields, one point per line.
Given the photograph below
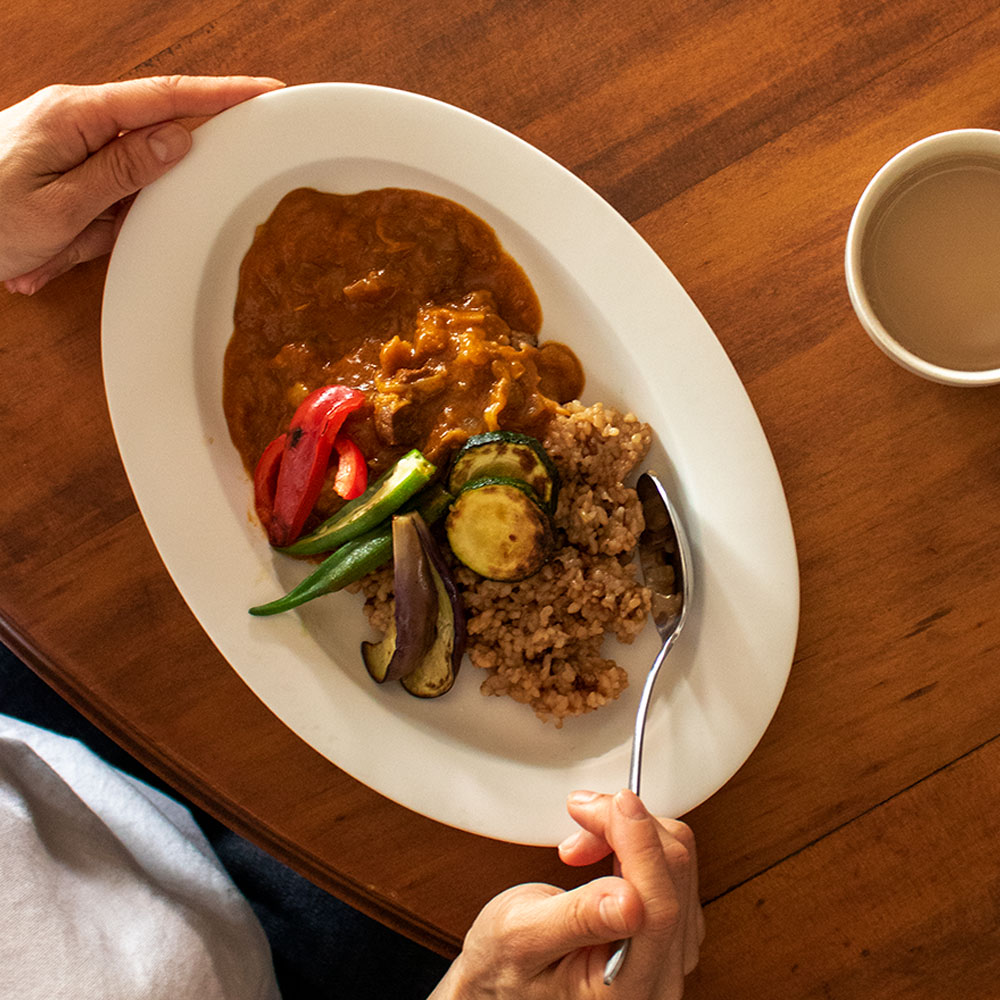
x=665 y=557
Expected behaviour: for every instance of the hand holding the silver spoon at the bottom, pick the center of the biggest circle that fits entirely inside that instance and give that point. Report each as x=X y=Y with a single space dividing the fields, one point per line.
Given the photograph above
x=538 y=942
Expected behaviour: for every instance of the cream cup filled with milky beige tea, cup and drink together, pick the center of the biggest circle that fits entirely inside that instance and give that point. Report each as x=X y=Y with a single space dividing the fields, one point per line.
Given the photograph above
x=923 y=257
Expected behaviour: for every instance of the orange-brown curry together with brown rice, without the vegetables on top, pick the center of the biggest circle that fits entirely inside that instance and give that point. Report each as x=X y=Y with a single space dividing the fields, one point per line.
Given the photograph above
x=410 y=298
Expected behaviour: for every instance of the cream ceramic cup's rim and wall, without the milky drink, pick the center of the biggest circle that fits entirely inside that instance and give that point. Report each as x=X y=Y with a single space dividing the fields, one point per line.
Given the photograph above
x=920 y=156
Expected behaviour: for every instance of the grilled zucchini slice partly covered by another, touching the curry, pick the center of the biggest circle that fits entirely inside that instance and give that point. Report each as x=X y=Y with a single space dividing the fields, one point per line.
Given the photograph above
x=510 y=456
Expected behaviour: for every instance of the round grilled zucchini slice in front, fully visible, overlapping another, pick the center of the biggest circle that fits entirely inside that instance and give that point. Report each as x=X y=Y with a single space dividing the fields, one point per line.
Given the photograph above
x=498 y=528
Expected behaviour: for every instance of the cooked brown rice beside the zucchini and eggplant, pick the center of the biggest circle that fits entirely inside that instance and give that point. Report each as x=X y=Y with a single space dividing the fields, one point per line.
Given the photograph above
x=540 y=640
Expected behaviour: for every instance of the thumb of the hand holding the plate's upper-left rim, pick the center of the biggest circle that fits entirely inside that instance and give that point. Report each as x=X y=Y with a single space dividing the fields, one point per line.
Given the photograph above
x=121 y=168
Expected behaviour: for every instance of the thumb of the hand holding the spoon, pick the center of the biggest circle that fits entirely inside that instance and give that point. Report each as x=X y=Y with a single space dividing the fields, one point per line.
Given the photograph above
x=596 y=913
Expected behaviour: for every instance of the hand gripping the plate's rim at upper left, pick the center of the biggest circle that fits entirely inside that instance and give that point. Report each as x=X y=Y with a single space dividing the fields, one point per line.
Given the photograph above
x=71 y=159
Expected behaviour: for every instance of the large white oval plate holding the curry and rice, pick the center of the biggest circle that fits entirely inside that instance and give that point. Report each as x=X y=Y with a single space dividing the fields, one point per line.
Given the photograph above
x=486 y=765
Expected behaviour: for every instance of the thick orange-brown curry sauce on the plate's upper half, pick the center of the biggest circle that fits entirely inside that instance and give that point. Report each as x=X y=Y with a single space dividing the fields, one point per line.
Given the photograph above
x=404 y=295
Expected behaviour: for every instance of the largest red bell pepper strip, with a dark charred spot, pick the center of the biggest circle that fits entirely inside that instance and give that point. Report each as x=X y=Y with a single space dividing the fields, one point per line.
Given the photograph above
x=308 y=444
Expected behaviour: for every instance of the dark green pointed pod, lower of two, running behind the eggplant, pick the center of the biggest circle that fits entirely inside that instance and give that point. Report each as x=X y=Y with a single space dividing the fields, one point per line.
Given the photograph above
x=358 y=557
